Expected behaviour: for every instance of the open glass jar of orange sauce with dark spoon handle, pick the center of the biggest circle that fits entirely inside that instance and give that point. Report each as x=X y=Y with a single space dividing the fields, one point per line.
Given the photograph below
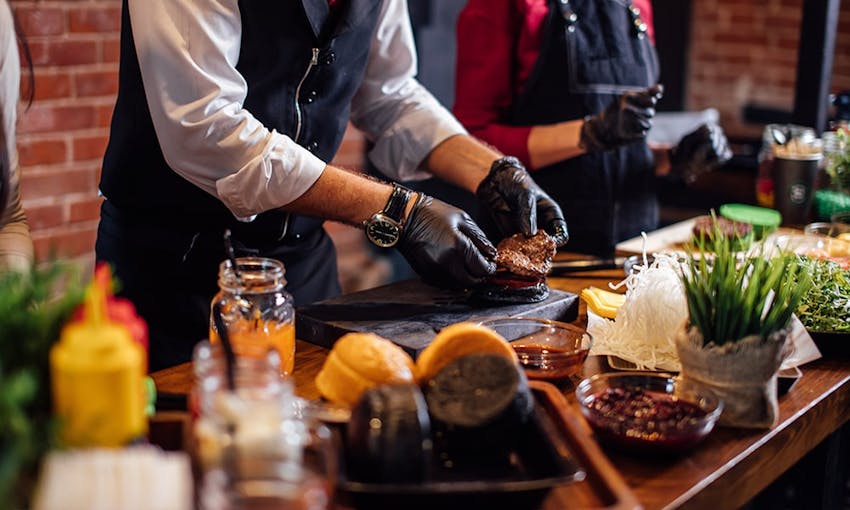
x=257 y=310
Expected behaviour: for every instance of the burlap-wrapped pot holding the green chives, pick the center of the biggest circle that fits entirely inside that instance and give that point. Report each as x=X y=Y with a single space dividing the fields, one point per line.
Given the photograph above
x=741 y=373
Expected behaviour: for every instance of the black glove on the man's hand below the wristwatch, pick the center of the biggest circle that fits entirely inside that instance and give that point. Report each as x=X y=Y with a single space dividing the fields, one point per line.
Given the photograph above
x=444 y=246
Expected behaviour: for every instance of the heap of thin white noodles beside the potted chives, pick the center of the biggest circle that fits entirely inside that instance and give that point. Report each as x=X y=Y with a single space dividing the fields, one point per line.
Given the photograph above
x=654 y=309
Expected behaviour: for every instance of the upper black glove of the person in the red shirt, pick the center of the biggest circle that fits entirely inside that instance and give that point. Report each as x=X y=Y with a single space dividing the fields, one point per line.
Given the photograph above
x=624 y=121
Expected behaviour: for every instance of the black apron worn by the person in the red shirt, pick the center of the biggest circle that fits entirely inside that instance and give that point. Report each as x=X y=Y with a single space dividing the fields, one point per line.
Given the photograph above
x=591 y=53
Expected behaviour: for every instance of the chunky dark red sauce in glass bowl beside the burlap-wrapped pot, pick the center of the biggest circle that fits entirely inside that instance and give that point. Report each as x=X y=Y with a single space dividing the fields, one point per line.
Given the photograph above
x=634 y=417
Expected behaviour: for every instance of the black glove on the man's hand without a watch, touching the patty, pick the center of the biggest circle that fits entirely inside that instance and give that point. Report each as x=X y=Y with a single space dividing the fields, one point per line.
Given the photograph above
x=518 y=204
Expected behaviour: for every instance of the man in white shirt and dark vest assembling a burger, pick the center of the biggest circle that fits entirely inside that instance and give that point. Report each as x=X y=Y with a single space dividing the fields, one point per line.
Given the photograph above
x=227 y=113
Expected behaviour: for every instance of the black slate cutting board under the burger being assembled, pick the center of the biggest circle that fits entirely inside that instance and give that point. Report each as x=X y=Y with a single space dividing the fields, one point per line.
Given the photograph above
x=410 y=313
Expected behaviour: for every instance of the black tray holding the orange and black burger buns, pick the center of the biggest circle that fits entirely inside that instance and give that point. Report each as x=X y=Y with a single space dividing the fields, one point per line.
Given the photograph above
x=541 y=459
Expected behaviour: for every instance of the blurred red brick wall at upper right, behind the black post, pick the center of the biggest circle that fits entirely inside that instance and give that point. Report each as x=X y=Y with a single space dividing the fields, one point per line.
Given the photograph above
x=745 y=51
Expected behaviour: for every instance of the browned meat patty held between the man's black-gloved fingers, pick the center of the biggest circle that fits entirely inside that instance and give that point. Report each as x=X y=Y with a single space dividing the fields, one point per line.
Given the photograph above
x=526 y=256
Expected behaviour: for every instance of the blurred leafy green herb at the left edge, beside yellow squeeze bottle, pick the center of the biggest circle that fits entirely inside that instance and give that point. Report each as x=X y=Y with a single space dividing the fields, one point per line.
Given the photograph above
x=33 y=308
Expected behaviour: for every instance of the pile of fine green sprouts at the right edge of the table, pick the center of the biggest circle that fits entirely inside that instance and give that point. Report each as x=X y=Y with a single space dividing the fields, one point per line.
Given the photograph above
x=826 y=306
